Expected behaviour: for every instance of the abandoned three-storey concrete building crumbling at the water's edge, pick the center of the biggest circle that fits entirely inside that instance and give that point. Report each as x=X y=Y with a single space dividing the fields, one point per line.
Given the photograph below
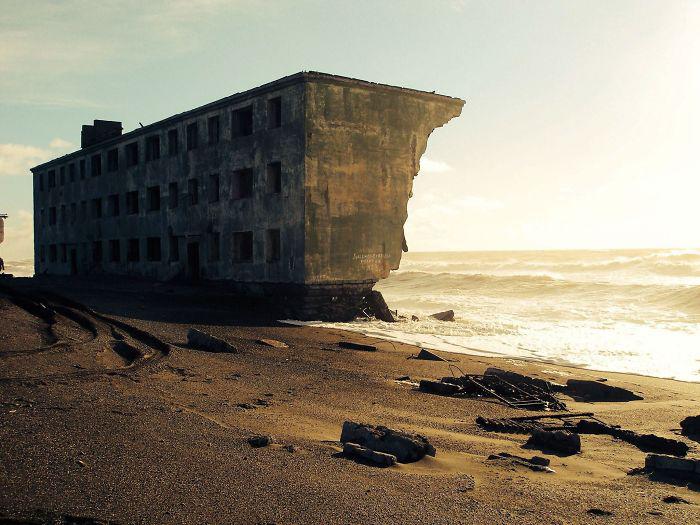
x=296 y=189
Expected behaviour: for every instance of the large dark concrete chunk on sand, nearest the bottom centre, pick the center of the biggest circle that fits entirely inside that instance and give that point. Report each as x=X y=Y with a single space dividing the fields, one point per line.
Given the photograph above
x=407 y=447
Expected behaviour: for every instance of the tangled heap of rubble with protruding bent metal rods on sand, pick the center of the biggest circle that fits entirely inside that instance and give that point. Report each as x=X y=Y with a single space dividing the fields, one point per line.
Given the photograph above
x=514 y=393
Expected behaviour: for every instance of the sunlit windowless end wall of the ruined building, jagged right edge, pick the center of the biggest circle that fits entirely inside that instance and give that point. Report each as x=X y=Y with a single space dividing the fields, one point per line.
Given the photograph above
x=363 y=147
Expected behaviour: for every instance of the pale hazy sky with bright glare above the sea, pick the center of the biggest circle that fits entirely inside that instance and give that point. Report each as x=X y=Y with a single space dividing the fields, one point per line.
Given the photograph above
x=581 y=128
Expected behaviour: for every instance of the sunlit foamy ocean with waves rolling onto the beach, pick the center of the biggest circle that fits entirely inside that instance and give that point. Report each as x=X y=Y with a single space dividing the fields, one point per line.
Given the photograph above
x=635 y=311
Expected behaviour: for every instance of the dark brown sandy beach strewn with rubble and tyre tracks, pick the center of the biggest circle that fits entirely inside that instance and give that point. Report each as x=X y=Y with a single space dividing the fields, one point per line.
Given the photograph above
x=162 y=436
